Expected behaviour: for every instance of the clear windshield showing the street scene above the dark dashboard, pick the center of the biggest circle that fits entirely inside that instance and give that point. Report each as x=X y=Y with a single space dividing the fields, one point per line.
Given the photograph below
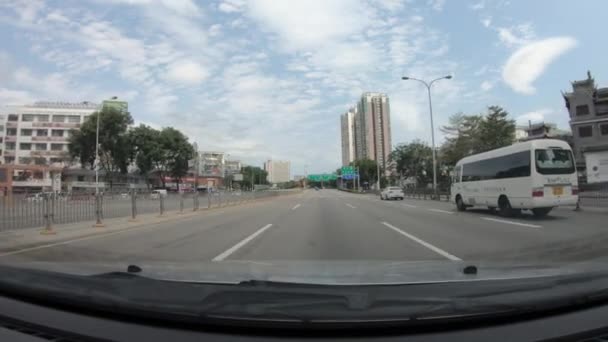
x=303 y=141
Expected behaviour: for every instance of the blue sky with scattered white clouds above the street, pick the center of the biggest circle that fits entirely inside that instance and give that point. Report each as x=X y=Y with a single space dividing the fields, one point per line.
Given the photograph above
x=262 y=79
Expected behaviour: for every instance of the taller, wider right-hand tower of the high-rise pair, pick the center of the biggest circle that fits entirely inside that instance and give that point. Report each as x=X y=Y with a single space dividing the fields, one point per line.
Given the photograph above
x=372 y=129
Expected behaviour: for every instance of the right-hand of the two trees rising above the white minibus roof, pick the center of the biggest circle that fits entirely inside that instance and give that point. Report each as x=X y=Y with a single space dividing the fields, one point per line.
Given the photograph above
x=496 y=129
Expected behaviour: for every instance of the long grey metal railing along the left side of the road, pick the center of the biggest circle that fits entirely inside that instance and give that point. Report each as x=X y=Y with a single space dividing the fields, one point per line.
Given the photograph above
x=46 y=210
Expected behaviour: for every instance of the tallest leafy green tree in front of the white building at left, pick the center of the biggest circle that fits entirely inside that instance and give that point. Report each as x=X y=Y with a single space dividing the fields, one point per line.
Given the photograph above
x=114 y=147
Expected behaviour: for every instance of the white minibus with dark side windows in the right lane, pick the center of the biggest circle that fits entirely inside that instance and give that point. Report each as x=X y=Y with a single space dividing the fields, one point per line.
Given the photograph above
x=537 y=175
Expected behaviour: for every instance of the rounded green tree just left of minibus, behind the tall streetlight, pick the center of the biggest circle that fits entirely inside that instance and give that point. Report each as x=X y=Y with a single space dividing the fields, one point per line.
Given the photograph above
x=414 y=160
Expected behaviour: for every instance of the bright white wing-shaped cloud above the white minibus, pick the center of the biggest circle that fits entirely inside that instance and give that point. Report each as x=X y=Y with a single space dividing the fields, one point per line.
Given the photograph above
x=526 y=64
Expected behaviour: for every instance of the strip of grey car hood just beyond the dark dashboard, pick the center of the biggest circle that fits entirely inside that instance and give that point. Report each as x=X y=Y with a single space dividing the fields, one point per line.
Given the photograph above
x=323 y=272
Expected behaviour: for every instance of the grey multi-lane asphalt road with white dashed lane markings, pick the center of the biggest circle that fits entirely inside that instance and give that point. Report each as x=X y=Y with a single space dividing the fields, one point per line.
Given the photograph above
x=334 y=225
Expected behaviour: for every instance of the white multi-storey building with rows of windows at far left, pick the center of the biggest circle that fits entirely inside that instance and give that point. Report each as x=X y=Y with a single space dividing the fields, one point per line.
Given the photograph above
x=38 y=134
